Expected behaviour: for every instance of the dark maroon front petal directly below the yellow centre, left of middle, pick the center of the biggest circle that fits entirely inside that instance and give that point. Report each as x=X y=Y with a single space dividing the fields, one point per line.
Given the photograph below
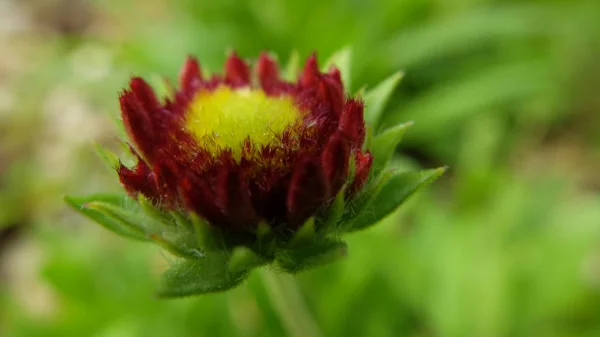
x=233 y=198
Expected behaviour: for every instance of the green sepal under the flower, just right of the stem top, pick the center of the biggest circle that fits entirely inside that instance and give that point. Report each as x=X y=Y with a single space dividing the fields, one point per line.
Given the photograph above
x=310 y=256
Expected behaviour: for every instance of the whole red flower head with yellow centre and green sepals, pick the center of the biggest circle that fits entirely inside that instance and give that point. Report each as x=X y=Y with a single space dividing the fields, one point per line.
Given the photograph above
x=246 y=169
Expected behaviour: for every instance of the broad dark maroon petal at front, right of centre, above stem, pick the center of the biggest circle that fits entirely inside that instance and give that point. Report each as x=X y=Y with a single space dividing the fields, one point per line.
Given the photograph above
x=307 y=192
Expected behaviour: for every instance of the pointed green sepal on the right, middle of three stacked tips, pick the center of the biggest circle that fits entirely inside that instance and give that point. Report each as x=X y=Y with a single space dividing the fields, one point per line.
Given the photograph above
x=384 y=144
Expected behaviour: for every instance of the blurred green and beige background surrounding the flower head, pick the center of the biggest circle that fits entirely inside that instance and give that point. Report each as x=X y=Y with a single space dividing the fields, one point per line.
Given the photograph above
x=507 y=93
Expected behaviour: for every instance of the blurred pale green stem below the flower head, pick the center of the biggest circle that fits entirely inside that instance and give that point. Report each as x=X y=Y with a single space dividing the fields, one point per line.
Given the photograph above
x=289 y=305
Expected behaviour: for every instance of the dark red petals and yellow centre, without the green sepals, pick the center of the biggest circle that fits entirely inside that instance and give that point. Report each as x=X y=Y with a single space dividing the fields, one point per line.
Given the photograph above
x=237 y=151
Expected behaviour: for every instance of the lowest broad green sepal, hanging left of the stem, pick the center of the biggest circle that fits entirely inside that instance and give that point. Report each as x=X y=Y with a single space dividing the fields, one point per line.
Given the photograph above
x=205 y=275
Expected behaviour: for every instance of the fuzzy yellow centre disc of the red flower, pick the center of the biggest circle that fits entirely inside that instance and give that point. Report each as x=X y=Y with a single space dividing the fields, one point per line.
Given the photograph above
x=225 y=117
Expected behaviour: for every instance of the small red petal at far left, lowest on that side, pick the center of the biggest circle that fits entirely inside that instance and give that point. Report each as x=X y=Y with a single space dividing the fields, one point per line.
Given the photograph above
x=139 y=180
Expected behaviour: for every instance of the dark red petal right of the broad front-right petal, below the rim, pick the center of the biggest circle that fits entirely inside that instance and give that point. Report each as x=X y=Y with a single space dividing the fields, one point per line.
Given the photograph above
x=335 y=160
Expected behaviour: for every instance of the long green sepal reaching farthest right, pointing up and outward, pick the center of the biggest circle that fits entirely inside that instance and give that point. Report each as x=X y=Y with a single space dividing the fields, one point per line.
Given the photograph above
x=393 y=193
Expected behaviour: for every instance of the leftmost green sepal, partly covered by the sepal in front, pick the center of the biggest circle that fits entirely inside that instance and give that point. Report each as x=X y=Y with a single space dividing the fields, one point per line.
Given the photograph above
x=81 y=205
